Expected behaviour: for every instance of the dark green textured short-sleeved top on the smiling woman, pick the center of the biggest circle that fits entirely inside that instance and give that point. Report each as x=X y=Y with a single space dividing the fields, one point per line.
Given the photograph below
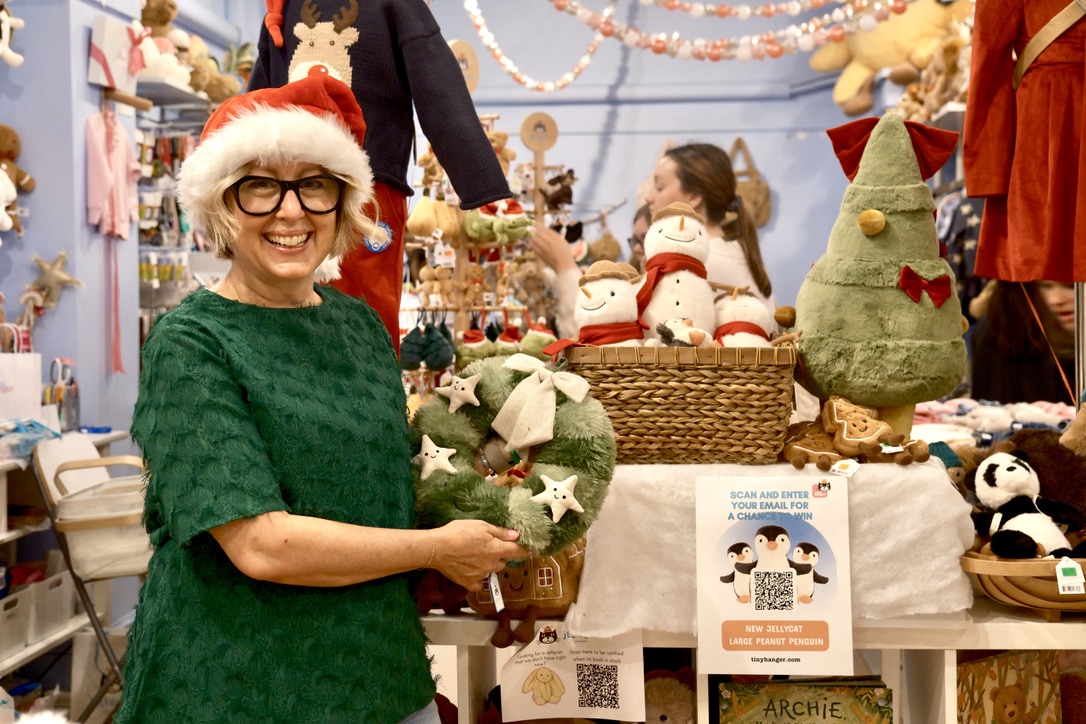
x=243 y=411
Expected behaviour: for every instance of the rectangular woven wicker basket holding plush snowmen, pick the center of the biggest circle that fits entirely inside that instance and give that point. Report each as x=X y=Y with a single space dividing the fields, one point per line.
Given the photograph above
x=685 y=405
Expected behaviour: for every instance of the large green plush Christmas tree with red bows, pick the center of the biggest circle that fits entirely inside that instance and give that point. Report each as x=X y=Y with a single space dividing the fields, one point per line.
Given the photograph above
x=880 y=320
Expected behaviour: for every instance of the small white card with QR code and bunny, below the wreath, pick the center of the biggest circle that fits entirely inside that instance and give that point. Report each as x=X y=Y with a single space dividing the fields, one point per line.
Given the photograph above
x=562 y=676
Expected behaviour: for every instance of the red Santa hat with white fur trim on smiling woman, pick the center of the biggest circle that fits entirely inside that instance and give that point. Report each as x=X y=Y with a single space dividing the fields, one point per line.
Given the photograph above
x=315 y=120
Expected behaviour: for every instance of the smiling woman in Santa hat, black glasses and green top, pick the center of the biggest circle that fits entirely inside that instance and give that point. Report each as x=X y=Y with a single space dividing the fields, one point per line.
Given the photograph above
x=271 y=416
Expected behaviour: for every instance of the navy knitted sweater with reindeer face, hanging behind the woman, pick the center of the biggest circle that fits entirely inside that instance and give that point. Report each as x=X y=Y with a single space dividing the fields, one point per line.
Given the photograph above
x=394 y=57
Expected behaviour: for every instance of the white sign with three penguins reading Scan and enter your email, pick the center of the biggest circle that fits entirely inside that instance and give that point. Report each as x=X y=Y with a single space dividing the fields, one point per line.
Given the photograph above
x=774 y=592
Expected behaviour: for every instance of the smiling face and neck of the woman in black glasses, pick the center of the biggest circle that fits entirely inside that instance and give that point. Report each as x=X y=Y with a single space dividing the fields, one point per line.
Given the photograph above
x=275 y=256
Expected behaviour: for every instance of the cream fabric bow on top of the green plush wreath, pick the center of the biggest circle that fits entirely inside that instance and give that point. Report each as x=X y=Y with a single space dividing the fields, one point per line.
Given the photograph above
x=527 y=417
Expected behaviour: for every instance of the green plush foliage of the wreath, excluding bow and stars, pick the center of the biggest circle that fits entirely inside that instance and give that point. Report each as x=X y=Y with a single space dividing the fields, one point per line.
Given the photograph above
x=584 y=446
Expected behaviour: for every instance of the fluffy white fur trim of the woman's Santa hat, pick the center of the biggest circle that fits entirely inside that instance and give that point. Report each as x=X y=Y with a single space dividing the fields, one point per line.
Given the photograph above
x=263 y=134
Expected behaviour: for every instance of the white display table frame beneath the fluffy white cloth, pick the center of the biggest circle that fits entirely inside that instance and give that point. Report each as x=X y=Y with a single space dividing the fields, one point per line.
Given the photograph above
x=918 y=654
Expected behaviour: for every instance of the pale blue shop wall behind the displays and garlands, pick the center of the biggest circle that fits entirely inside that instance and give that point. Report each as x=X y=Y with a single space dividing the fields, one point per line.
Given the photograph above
x=612 y=122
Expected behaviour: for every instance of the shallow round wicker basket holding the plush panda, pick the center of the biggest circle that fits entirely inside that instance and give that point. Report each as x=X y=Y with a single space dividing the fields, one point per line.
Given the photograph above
x=1027 y=583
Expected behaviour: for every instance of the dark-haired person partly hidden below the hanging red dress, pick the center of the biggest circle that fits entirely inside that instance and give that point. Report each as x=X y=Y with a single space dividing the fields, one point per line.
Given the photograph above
x=1013 y=357
